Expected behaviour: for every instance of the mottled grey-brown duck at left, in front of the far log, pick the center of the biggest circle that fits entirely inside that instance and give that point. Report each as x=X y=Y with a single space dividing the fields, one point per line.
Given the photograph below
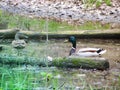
x=17 y=43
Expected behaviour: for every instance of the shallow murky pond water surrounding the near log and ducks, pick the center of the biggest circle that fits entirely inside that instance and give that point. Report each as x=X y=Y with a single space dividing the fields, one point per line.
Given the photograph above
x=53 y=78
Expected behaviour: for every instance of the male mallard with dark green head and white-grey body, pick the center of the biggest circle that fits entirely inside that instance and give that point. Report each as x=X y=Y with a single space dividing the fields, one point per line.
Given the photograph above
x=85 y=52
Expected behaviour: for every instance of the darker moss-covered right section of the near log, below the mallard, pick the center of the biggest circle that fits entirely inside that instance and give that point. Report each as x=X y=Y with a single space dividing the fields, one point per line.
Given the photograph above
x=86 y=63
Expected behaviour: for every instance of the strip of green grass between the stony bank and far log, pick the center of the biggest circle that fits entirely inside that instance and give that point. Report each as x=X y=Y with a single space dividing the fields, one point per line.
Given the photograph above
x=37 y=24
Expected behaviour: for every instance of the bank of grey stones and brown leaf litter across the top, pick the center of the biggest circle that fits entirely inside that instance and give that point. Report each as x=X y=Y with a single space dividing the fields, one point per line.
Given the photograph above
x=72 y=11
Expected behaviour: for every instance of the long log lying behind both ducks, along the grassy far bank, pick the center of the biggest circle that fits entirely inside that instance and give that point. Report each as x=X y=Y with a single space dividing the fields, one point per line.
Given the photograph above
x=10 y=34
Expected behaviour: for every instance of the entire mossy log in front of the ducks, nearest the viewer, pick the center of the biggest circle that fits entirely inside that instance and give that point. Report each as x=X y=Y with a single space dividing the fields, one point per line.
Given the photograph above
x=71 y=62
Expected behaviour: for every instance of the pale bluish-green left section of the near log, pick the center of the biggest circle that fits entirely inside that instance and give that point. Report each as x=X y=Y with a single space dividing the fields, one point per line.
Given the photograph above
x=18 y=60
